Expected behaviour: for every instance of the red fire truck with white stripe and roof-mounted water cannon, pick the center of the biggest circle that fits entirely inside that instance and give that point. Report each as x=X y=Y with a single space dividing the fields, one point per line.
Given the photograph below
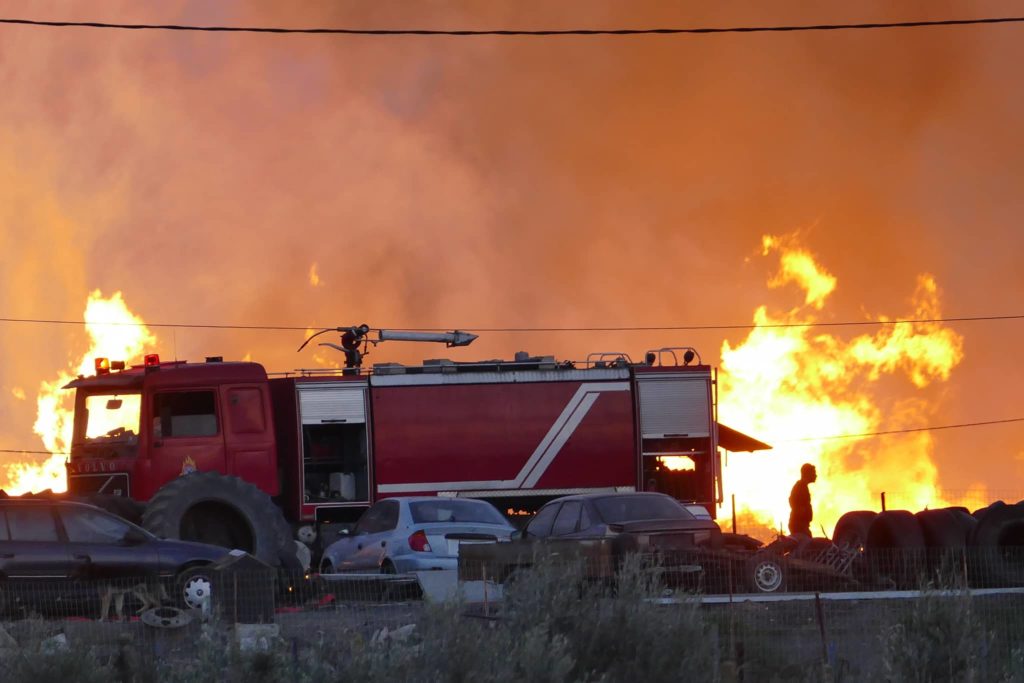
x=224 y=453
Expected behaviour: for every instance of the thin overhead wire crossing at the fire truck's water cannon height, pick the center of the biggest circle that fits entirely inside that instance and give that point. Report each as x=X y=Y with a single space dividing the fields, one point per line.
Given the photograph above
x=658 y=328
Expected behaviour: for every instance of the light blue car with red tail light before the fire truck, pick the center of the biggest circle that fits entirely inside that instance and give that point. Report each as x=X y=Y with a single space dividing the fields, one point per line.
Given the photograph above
x=403 y=535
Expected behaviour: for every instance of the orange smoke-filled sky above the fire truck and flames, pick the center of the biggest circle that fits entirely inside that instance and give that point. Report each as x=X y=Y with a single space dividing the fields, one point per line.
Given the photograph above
x=514 y=183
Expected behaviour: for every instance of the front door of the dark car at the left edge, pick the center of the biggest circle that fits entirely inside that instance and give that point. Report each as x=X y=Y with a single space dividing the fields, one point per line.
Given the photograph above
x=102 y=547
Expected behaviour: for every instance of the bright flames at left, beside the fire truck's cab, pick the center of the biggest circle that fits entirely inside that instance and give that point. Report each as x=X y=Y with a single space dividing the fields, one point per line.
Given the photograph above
x=55 y=420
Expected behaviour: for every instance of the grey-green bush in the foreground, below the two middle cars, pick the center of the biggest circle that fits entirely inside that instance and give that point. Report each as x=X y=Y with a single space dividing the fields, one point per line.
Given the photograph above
x=554 y=626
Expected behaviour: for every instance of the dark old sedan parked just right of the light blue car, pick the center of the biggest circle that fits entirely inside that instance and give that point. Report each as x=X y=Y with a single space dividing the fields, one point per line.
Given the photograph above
x=602 y=529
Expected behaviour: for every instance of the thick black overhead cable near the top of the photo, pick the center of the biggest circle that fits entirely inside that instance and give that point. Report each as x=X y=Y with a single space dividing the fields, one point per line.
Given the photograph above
x=522 y=32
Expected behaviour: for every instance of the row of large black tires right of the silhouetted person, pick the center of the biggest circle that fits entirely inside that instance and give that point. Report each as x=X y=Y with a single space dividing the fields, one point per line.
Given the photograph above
x=906 y=550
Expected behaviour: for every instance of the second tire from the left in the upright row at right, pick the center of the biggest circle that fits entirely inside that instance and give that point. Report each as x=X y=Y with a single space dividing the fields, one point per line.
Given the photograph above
x=895 y=549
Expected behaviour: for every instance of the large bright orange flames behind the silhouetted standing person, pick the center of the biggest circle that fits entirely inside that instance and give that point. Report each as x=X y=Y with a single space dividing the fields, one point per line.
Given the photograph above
x=791 y=386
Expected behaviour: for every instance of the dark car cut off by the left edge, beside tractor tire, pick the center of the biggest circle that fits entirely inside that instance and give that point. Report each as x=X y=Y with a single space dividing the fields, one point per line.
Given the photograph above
x=58 y=553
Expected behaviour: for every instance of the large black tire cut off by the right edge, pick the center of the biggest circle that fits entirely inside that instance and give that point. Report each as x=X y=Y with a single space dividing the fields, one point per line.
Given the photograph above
x=998 y=546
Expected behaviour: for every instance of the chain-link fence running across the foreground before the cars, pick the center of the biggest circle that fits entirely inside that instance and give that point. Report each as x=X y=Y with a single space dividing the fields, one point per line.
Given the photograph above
x=902 y=616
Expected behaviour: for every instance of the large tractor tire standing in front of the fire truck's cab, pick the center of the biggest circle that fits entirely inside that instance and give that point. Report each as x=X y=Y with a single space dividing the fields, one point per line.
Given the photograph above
x=222 y=510
